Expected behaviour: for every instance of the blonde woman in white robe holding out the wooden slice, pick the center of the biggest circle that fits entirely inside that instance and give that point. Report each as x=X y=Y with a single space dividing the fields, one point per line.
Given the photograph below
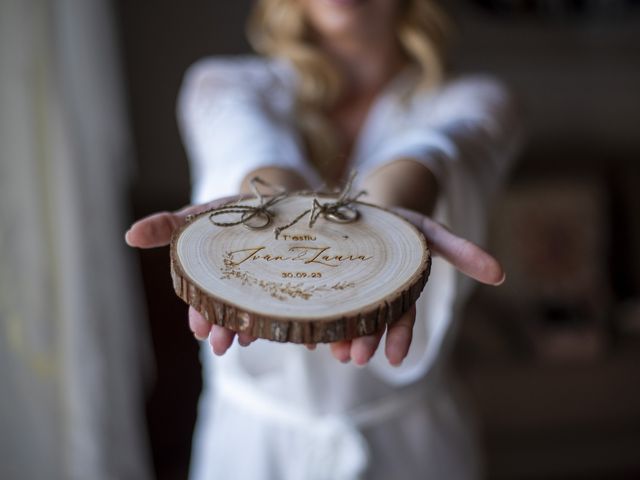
x=345 y=84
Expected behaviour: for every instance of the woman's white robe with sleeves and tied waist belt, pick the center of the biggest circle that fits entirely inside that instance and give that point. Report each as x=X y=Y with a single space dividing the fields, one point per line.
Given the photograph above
x=279 y=411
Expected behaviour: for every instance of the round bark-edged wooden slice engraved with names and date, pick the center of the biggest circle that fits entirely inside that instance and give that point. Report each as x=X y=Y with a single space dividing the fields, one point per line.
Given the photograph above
x=331 y=282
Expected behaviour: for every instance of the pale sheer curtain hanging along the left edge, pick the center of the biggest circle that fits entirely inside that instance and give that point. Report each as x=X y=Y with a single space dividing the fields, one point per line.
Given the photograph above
x=72 y=342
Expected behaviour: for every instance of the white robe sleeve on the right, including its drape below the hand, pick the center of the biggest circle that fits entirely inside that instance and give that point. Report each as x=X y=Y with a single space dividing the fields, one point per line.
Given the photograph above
x=468 y=136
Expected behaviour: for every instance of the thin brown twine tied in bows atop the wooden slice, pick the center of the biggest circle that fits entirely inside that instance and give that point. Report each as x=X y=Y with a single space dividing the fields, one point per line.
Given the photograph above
x=342 y=210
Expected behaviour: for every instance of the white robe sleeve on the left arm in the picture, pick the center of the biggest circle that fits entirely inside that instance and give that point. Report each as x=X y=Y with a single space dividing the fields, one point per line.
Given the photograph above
x=233 y=116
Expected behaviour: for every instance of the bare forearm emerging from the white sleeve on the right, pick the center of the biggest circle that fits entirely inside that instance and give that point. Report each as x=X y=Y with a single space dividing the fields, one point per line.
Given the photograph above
x=403 y=183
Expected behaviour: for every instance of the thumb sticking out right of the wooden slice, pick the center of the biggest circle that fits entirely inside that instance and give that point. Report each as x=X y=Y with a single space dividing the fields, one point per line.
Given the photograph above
x=466 y=256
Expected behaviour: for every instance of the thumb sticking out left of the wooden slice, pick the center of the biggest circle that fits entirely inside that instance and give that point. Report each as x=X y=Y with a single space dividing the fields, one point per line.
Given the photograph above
x=156 y=230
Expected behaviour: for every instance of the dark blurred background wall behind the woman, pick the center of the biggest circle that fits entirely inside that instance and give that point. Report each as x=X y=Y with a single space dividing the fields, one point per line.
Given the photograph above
x=551 y=359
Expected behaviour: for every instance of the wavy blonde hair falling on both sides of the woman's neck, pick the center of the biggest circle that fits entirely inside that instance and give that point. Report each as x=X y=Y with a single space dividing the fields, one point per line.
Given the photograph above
x=277 y=28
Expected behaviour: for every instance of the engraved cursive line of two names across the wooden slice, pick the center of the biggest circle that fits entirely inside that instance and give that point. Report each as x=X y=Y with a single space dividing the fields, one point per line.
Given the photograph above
x=304 y=254
